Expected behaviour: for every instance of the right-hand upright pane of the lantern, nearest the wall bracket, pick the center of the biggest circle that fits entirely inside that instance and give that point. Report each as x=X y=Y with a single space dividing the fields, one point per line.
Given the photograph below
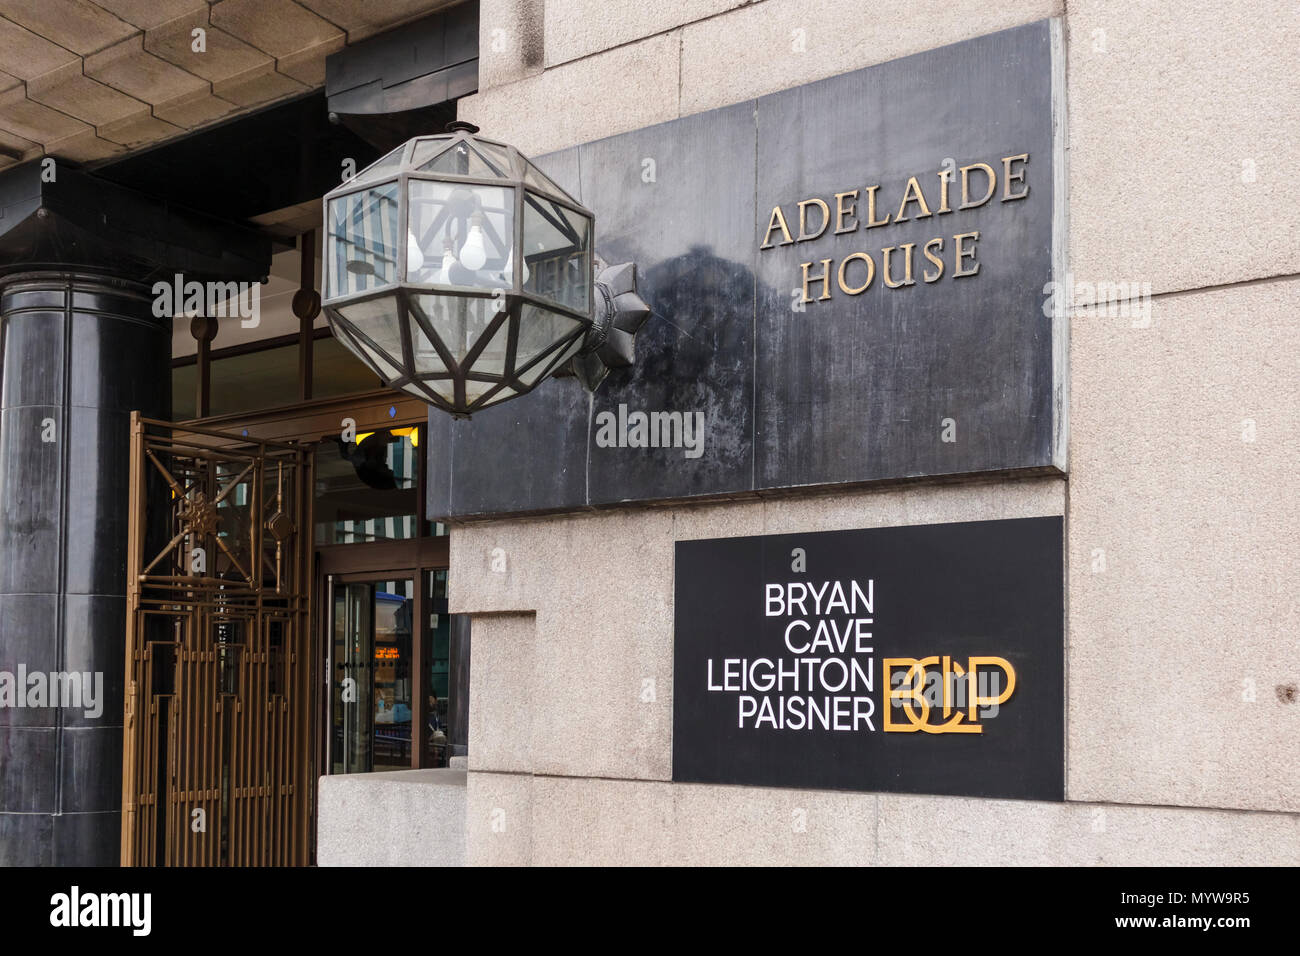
x=558 y=253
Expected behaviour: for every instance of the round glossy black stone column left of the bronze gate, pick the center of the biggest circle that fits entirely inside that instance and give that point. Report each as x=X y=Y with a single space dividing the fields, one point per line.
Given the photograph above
x=79 y=353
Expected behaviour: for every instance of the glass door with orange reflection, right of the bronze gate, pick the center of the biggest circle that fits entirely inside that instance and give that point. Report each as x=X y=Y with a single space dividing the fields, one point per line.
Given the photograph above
x=372 y=671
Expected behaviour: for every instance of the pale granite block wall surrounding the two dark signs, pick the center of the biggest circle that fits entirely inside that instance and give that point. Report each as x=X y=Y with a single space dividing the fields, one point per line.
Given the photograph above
x=1180 y=499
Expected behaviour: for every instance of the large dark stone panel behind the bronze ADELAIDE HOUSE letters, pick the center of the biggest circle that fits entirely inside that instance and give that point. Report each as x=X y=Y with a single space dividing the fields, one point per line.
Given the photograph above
x=847 y=392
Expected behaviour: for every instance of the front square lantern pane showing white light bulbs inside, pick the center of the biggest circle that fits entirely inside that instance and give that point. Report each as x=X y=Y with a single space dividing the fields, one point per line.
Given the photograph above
x=465 y=235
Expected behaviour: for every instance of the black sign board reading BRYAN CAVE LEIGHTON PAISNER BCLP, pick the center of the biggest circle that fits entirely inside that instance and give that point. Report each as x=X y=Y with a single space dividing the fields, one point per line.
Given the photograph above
x=917 y=660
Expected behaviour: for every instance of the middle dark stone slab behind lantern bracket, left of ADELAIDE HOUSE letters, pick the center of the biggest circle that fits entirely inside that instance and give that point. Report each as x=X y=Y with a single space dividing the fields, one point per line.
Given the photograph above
x=687 y=220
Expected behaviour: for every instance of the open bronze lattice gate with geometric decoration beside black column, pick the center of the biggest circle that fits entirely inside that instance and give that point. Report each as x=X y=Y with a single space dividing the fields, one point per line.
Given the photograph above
x=218 y=739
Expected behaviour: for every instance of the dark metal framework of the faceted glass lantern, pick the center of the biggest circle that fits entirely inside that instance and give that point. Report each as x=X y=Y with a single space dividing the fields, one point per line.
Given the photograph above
x=604 y=309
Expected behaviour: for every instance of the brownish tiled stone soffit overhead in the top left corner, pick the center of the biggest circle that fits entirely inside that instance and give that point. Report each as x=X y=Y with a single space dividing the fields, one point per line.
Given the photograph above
x=88 y=81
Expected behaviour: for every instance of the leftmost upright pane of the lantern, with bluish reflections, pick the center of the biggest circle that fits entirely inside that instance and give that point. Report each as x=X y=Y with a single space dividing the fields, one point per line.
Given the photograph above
x=362 y=245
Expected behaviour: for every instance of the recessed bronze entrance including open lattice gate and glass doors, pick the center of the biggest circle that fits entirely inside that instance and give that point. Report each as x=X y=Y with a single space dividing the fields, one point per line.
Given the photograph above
x=320 y=644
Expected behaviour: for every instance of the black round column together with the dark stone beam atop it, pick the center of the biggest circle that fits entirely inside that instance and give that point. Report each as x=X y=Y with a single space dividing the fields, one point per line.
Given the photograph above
x=80 y=351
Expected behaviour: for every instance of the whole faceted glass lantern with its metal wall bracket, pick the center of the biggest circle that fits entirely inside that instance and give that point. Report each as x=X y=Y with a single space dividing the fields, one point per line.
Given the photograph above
x=461 y=274
